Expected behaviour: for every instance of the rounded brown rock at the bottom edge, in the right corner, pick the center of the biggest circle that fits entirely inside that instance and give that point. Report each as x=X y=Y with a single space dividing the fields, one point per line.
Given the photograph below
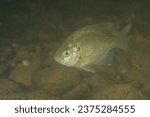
x=121 y=92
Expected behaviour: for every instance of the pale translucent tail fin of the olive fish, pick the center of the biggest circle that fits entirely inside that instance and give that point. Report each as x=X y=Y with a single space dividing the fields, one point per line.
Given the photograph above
x=122 y=41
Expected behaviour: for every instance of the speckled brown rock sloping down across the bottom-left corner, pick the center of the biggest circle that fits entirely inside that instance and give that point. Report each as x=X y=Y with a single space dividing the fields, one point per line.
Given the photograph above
x=11 y=91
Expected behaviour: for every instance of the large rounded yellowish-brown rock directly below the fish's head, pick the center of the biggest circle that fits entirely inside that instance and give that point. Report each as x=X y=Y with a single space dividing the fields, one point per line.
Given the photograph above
x=56 y=79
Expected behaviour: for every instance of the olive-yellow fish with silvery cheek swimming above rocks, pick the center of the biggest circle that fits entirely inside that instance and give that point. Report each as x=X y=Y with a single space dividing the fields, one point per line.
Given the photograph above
x=91 y=45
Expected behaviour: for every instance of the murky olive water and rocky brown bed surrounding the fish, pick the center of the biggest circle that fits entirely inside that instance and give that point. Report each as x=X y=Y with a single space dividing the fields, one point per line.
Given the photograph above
x=31 y=31
